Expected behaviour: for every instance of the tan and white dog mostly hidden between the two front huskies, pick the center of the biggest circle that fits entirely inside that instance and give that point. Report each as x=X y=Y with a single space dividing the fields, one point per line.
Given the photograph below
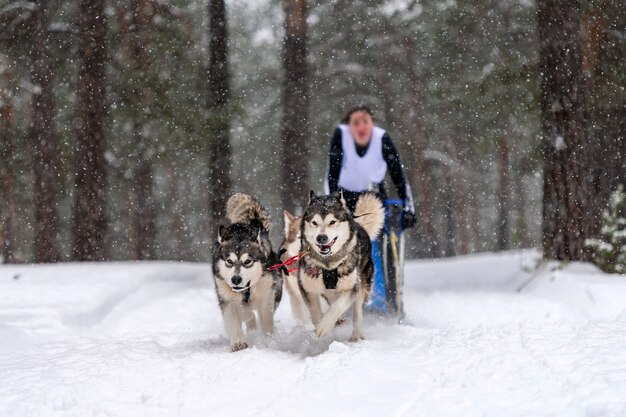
x=291 y=247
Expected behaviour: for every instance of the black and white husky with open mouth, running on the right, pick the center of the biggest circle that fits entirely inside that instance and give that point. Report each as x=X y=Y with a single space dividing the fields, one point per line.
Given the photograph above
x=338 y=265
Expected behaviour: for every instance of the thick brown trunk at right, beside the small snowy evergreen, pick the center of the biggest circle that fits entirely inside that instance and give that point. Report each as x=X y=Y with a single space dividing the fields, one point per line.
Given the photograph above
x=566 y=189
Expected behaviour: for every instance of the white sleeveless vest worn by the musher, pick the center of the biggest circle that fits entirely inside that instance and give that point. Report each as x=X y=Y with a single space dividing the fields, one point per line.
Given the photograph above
x=358 y=173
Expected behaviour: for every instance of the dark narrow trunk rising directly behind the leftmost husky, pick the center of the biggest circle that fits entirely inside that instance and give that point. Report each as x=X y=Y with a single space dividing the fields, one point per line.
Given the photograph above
x=219 y=118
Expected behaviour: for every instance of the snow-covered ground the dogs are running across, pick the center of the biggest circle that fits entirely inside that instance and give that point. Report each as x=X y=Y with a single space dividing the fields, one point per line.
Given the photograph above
x=487 y=335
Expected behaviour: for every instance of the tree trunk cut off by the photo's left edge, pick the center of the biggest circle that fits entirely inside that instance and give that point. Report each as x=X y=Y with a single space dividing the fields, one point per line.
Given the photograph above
x=8 y=204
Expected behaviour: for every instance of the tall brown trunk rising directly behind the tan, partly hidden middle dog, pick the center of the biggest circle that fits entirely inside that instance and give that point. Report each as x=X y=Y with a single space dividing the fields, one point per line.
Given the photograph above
x=295 y=129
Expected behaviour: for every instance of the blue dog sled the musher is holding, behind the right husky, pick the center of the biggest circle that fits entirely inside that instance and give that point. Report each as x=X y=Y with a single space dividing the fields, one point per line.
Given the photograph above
x=388 y=255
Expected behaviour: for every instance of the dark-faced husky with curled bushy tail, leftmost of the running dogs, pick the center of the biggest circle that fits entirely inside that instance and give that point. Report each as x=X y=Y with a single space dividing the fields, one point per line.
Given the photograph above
x=241 y=257
